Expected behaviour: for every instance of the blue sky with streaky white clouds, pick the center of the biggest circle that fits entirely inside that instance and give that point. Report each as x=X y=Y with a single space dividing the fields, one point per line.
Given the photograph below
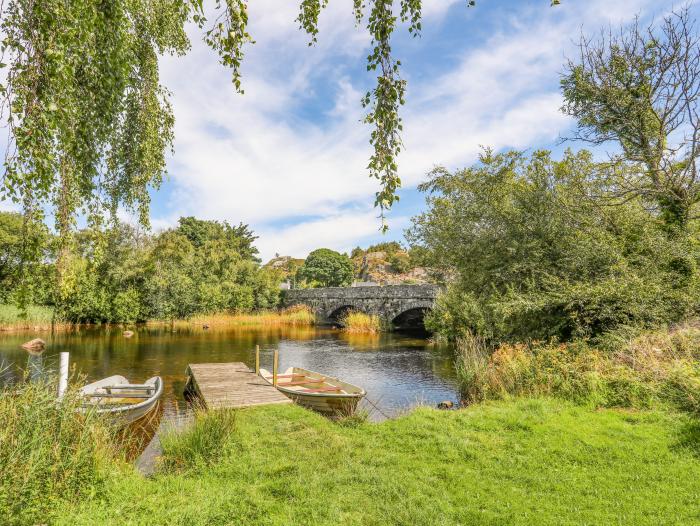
x=288 y=157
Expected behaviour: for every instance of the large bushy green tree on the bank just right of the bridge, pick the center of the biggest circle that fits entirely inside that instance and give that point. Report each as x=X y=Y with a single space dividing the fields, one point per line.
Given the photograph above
x=529 y=255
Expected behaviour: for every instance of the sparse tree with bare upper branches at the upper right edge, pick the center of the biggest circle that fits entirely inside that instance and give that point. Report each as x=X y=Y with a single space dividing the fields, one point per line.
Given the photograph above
x=640 y=88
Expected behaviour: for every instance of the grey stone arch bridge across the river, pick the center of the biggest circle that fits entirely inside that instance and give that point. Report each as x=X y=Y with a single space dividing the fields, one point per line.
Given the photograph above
x=401 y=306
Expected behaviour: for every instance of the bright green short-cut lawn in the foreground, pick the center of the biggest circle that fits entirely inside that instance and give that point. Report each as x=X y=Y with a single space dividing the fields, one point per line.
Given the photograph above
x=518 y=462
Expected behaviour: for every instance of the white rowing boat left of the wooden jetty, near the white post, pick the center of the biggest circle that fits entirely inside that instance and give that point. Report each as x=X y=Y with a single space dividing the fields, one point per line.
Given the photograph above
x=117 y=397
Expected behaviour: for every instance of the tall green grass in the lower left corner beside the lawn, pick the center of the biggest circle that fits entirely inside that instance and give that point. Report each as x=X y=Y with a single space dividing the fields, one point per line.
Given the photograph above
x=49 y=452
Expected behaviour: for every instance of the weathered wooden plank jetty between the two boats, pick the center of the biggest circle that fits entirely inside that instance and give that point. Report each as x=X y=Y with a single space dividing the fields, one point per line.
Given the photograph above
x=231 y=385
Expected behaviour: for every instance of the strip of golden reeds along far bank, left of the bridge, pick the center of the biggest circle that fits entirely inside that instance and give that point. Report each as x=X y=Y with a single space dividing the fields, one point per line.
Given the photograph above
x=294 y=316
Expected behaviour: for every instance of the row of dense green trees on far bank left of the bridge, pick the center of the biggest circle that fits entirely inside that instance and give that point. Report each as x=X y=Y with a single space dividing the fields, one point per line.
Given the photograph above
x=127 y=276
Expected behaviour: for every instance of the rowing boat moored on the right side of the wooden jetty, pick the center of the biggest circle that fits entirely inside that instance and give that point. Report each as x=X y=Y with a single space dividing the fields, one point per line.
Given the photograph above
x=317 y=391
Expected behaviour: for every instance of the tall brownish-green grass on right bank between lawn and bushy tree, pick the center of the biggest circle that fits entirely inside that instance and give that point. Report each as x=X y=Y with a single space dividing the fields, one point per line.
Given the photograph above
x=658 y=369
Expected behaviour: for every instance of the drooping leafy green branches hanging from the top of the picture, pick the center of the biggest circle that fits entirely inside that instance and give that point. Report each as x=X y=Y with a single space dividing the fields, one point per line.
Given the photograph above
x=90 y=122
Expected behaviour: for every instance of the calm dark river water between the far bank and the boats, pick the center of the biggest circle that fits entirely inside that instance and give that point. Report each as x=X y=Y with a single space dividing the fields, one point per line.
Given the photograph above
x=397 y=371
